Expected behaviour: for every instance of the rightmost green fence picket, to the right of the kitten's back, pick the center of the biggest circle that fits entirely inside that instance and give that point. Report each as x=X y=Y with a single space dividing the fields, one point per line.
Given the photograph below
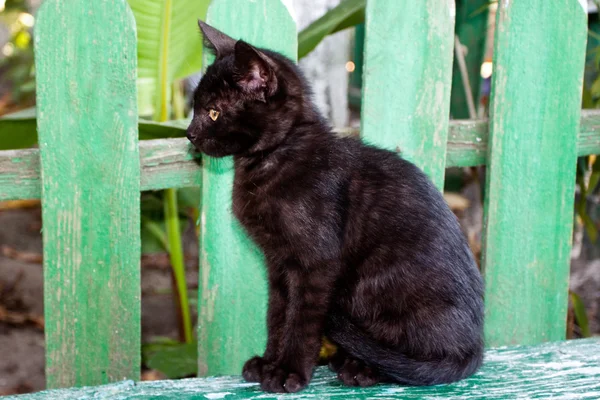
x=535 y=117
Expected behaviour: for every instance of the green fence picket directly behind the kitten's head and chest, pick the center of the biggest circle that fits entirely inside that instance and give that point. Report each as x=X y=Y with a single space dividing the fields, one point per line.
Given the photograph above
x=232 y=289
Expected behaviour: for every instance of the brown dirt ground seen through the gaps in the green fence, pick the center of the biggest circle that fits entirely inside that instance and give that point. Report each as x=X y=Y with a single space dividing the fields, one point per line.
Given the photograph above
x=21 y=292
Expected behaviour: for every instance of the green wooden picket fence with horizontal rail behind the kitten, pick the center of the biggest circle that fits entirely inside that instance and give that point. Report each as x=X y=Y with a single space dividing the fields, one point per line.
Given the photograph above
x=87 y=173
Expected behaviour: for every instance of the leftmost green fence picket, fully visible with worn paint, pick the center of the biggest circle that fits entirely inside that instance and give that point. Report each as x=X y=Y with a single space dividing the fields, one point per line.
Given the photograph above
x=87 y=123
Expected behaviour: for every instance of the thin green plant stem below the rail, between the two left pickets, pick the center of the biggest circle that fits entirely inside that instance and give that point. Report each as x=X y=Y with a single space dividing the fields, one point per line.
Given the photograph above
x=176 y=256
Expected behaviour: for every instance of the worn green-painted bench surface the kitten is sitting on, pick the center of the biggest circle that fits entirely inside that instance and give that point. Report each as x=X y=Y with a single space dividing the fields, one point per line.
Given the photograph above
x=561 y=370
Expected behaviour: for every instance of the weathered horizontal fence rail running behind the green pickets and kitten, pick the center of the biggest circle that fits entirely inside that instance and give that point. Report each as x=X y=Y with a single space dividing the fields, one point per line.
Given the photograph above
x=168 y=163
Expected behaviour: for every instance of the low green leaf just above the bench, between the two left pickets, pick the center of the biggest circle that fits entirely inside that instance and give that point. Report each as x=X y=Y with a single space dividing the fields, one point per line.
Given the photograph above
x=175 y=360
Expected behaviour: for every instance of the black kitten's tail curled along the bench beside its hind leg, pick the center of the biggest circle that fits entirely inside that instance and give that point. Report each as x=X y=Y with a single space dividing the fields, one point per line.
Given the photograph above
x=396 y=367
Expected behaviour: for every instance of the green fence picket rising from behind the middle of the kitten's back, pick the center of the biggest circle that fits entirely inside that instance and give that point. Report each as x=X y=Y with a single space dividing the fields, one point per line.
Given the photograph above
x=407 y=79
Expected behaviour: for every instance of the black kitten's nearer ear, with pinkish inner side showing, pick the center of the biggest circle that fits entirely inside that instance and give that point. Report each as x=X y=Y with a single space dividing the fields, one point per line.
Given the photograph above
x=255 y=74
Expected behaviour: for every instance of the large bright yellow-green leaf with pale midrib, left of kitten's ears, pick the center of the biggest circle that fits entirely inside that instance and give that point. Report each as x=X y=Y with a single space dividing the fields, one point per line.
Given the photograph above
x=169 y=44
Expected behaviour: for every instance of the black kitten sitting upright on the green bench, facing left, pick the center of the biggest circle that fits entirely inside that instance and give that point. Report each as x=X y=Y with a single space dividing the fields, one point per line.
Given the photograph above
x=360 y=246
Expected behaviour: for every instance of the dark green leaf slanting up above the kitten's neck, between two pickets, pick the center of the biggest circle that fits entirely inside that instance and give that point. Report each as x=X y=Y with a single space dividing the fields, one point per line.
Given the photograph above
x=348 y=13
